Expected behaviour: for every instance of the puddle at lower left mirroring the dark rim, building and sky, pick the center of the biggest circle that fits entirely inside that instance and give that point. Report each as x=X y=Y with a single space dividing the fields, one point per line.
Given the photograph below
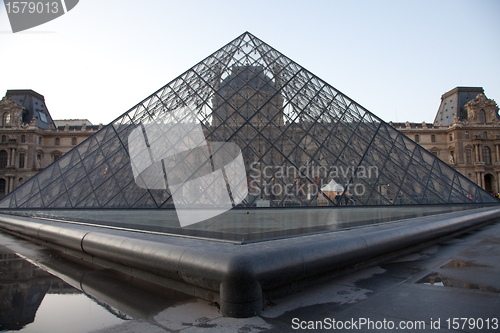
x=56 y=294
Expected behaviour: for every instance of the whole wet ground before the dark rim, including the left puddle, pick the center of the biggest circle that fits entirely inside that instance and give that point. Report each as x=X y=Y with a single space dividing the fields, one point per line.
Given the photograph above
x=431 y=290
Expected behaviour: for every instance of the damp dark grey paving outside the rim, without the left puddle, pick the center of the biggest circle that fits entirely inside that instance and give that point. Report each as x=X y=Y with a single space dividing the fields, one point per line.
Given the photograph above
x=453 y=286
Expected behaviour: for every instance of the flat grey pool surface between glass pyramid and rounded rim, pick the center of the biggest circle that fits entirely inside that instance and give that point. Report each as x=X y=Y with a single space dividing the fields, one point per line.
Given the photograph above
x=244 y=225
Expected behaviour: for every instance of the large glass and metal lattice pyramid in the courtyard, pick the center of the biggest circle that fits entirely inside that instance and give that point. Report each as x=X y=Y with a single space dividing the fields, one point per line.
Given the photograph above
x=246 y=127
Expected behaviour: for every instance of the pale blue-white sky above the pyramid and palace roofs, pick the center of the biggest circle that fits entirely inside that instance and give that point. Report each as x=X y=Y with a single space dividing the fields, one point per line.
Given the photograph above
x=395 y=58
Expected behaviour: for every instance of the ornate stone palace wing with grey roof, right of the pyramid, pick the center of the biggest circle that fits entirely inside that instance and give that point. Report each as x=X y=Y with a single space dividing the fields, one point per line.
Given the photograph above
x=470 y=143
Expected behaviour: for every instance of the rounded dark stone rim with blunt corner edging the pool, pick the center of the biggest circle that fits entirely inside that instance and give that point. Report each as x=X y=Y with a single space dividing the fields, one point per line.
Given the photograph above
x=242 y=277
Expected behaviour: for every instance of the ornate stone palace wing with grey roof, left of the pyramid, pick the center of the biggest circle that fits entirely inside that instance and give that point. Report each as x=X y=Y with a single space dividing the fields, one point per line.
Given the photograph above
x=25 y=146
